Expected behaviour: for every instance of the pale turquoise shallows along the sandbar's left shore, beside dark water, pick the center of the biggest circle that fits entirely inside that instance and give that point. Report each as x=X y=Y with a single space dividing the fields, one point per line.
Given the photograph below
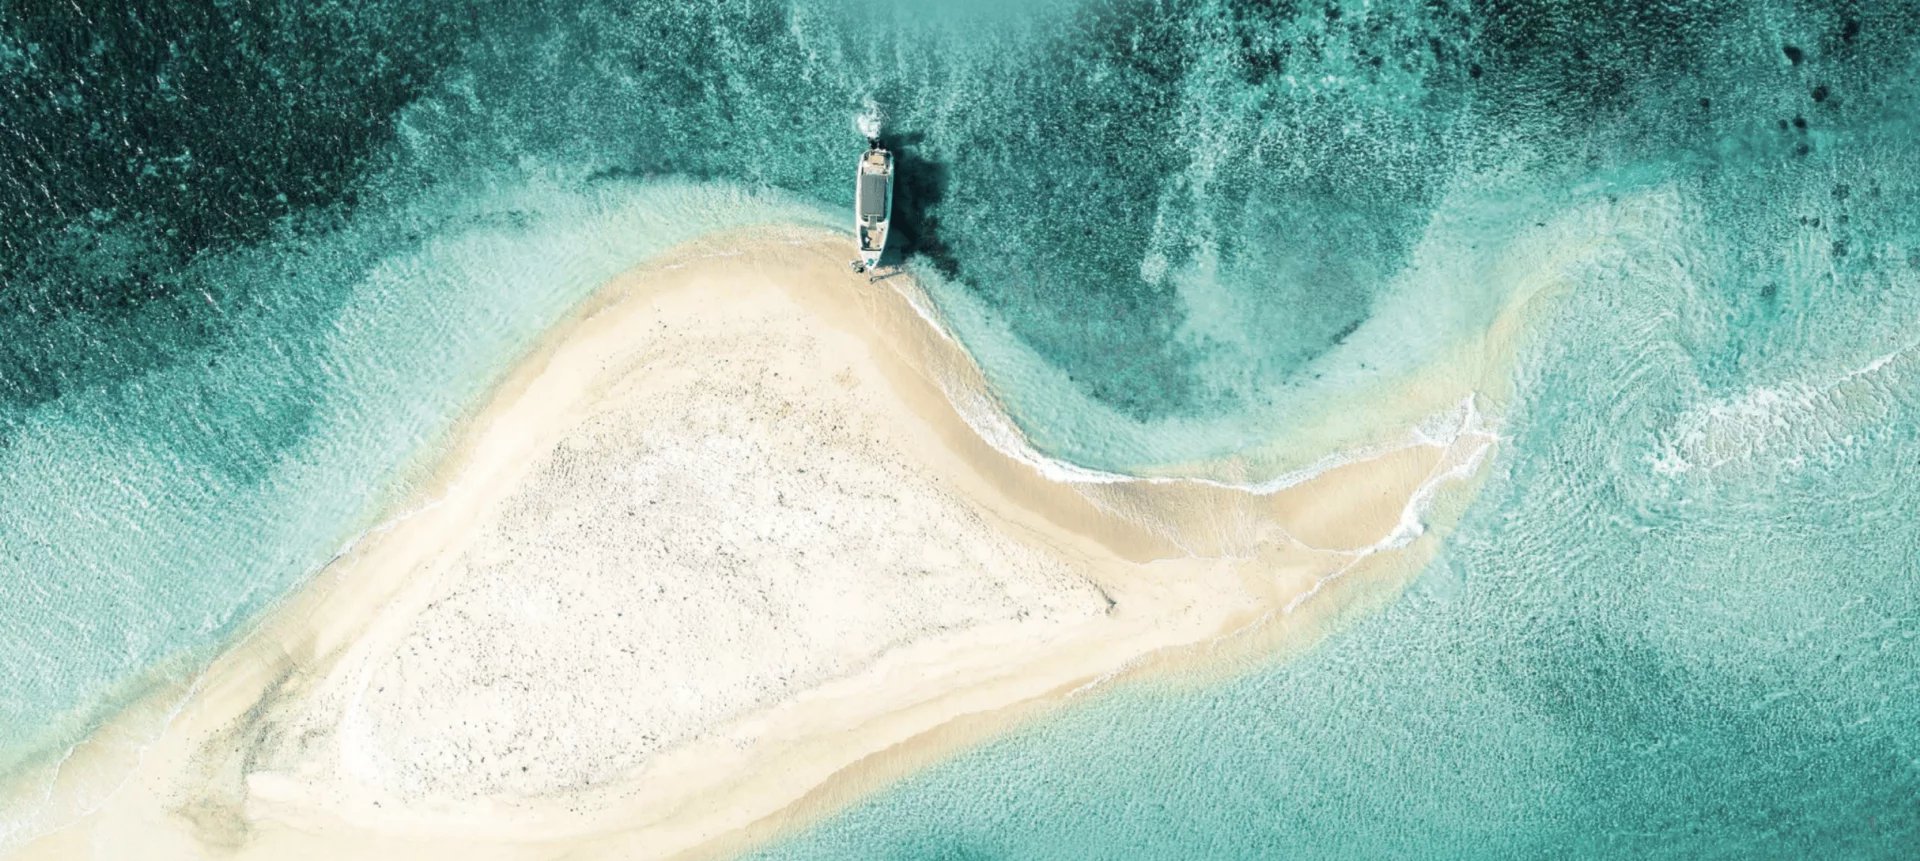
x=153 y=514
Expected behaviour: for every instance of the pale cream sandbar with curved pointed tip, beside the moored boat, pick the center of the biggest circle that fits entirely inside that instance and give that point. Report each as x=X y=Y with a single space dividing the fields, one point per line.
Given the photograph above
x=717 y=558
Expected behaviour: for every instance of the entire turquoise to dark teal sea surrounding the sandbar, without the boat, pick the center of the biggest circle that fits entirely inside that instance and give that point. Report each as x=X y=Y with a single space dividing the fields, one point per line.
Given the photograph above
x=256 y=260
